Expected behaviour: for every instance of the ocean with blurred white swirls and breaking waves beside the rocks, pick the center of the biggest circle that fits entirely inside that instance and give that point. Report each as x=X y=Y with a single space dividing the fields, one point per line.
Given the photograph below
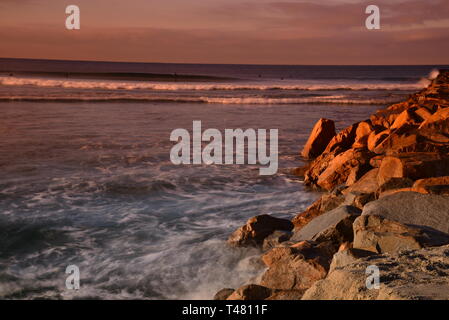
x=86 y=176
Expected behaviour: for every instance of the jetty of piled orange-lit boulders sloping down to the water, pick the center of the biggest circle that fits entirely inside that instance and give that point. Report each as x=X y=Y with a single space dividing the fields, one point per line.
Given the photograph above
x=386 y=204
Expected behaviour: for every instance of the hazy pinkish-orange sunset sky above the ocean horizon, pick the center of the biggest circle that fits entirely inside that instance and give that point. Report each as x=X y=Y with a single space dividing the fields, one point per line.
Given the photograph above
x=228 y=31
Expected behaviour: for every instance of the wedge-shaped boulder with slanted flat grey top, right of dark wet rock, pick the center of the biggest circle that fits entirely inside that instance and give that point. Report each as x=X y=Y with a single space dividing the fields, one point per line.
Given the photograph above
x=335 y=226
